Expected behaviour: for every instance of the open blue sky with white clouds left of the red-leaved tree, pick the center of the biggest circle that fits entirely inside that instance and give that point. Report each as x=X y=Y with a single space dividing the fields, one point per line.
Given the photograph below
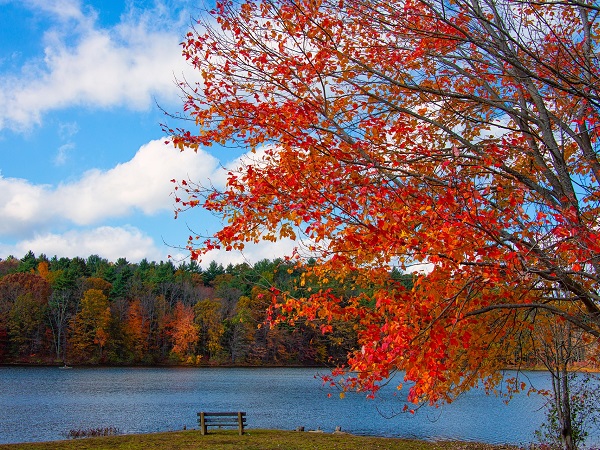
x=84 y=168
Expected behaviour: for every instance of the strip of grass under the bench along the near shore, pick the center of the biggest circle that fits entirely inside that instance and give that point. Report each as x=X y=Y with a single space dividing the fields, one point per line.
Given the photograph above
x=252 y=440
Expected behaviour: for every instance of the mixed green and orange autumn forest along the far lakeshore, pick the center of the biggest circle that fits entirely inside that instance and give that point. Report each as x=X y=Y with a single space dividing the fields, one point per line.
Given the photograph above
x=92 y=311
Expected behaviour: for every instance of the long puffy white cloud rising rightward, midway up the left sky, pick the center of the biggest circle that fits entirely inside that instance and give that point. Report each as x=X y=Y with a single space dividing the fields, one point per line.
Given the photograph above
x=138 y=185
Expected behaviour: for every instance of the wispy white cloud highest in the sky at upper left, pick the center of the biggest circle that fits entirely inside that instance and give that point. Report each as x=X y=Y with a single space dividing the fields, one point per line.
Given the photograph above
x=129 y=65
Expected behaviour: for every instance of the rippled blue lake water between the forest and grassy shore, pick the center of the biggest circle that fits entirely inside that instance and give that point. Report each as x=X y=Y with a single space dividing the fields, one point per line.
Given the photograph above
x=40 y=404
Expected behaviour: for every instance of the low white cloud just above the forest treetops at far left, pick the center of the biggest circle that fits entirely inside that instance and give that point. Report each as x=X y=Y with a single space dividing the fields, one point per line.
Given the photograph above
x=111 y=243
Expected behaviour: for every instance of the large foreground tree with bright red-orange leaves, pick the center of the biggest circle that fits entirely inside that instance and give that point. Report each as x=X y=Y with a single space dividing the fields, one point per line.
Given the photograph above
x=458 y=134
